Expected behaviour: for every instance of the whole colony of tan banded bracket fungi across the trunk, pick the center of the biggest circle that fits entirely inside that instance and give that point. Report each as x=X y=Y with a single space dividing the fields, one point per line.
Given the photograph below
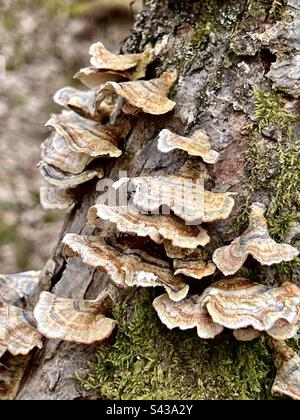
x=168 y=210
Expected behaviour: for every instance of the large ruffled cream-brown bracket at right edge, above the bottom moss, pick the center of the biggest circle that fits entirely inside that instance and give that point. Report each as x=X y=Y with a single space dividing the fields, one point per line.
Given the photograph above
x=239 y=303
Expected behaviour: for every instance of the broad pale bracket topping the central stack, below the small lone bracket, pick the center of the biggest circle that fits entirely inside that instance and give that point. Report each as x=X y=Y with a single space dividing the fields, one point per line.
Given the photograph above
x=183 y=195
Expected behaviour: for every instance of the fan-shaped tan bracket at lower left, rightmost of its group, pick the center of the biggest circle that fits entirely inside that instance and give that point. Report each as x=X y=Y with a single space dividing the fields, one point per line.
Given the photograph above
x=79 y=321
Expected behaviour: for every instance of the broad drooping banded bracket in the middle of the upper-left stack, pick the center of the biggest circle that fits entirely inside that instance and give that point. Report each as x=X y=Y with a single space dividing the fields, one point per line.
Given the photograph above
x=87 y=137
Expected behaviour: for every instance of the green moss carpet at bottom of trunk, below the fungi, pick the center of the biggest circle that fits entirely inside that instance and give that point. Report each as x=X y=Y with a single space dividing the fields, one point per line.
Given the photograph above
x=147 y=361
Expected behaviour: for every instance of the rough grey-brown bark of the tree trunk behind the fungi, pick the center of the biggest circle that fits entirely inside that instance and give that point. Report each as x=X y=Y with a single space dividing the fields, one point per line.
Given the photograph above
x=230 y=56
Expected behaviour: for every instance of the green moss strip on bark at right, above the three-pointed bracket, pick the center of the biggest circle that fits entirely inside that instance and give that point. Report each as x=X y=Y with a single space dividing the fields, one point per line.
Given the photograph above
x=274 y=167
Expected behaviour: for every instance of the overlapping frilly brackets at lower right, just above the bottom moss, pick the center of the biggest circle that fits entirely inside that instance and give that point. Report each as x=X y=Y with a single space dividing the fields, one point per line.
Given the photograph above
x=239 y=304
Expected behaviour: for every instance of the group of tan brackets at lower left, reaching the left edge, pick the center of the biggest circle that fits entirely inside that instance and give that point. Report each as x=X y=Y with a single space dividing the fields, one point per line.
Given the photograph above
x=21 y=329
